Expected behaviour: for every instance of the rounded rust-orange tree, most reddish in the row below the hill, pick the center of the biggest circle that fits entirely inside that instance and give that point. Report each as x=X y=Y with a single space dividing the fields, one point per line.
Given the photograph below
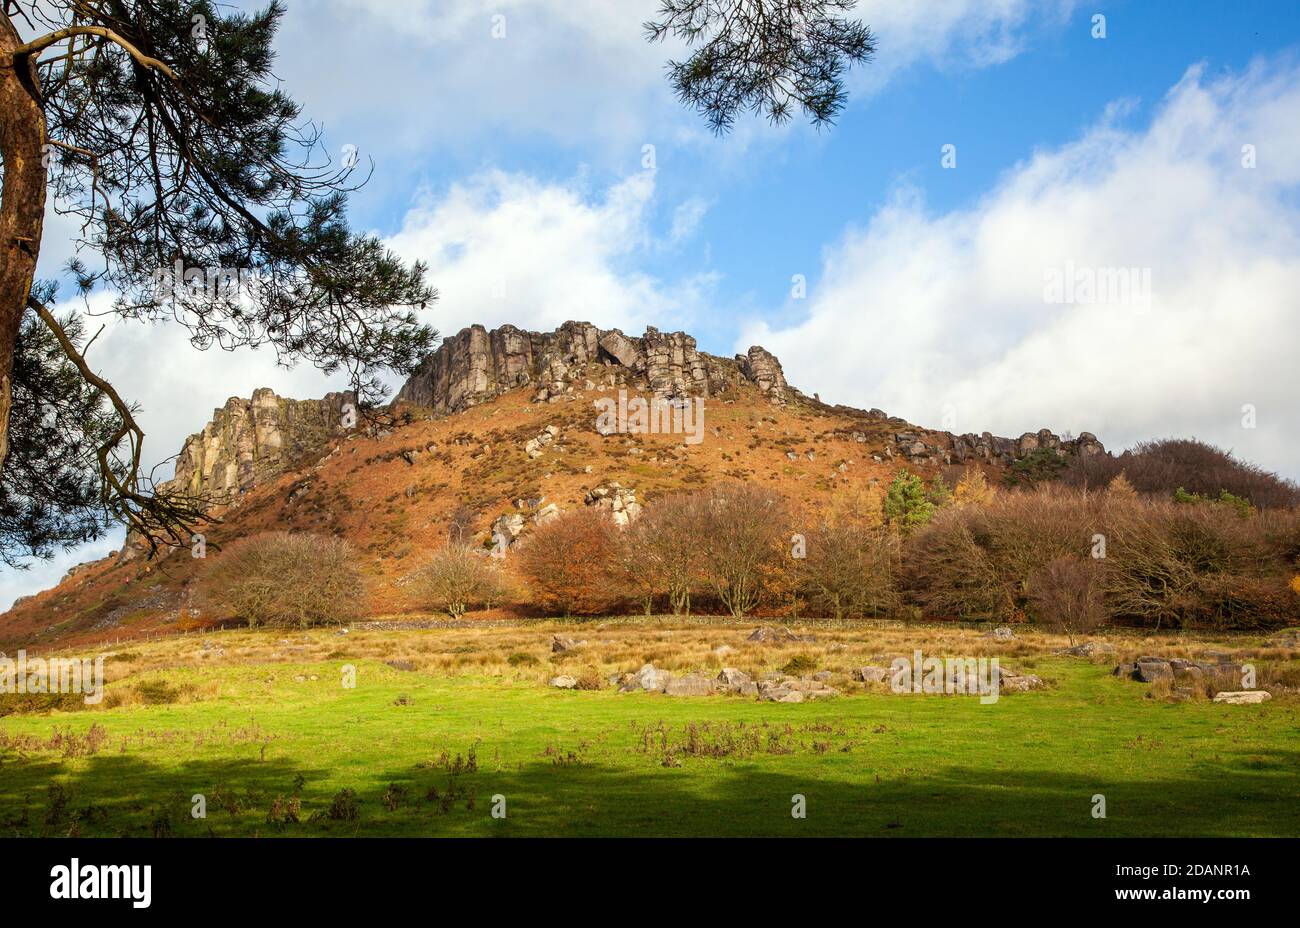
x=571 y=563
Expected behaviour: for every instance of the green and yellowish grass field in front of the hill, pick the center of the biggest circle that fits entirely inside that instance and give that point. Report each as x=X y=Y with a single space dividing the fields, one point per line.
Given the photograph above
x=261 y=725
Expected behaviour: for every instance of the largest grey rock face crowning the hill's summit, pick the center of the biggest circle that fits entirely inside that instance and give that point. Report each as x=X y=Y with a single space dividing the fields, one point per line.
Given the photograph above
x=476 y=365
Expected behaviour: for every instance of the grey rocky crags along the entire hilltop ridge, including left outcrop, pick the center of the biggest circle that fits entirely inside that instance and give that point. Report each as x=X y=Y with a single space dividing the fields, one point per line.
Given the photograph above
x=252 y=441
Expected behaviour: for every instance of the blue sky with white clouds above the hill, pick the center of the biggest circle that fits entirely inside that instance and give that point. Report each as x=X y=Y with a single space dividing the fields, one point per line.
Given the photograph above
x=515 y=167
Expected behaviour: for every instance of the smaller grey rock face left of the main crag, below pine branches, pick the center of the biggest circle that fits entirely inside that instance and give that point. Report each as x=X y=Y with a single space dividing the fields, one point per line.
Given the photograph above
x=250 y=441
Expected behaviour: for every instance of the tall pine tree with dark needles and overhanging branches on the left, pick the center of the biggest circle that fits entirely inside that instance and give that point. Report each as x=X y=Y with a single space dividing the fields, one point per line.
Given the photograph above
x=202 y=201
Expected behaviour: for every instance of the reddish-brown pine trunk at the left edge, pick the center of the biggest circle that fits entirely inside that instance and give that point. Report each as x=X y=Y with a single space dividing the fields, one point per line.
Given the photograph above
x=23 y=203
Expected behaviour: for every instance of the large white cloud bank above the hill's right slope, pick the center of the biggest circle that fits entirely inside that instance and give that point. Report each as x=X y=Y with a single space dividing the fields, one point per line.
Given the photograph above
x=917 y=310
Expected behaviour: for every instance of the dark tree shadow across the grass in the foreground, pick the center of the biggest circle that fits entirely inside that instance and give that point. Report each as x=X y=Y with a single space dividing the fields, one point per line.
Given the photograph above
x=125 y=796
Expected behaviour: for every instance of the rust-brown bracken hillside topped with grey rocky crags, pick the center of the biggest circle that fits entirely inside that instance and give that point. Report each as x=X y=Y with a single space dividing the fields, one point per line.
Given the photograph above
x=496 y=430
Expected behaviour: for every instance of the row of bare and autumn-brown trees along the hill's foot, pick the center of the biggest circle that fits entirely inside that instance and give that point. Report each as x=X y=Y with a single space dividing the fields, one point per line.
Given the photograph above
x=1055 y=556
